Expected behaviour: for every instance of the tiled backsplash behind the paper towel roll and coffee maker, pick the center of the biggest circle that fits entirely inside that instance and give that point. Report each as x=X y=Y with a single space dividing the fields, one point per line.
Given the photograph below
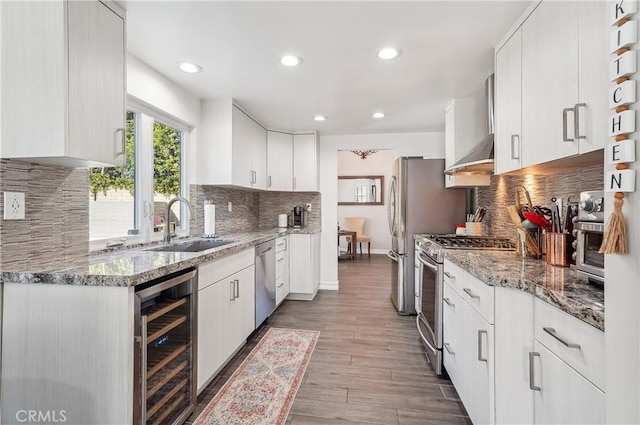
x=250 y=210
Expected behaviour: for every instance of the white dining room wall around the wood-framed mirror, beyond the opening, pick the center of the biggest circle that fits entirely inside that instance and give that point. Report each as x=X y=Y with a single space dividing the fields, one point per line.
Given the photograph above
x=376 y=225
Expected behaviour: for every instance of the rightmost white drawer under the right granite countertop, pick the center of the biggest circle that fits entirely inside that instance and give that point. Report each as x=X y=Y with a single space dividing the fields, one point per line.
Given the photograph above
x=577 y=343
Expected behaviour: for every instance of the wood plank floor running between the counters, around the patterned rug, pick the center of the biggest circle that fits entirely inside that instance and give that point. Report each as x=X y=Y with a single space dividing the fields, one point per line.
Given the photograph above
x=368 y=366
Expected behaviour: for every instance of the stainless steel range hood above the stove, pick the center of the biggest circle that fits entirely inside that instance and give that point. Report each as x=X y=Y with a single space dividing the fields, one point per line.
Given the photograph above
x=479 y=160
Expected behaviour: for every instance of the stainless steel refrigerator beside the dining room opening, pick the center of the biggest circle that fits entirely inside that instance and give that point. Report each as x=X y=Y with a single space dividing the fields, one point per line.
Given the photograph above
x=418 y=203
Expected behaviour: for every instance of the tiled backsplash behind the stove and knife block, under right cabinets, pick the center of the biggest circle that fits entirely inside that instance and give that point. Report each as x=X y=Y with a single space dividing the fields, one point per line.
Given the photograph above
x=542 y=188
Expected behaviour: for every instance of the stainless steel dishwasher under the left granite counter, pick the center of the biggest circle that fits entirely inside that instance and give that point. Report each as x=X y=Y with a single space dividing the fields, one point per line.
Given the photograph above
x=265 y=280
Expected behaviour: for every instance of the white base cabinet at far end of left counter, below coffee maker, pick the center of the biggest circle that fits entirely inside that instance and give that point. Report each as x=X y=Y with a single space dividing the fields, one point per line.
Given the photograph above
x=304 y=257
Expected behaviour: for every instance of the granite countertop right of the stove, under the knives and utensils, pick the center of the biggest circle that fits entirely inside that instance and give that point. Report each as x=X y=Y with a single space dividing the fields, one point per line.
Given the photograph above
x=559 y=286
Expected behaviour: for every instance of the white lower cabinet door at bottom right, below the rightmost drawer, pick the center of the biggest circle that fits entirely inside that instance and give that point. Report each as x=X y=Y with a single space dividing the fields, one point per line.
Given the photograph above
x=563 y=396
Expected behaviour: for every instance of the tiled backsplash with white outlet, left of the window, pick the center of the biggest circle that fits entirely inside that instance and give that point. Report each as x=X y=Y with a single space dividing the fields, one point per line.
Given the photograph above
x=56 y=225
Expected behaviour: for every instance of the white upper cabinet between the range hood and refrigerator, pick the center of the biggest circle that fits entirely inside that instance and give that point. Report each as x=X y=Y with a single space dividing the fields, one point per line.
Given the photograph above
x=464 y=127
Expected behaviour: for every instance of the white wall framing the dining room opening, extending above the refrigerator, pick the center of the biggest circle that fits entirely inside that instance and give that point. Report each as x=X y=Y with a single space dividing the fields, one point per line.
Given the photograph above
x=430 y=145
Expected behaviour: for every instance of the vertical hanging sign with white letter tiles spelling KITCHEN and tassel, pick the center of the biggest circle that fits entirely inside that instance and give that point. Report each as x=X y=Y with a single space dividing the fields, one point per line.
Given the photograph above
x=622 y=150
